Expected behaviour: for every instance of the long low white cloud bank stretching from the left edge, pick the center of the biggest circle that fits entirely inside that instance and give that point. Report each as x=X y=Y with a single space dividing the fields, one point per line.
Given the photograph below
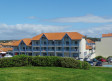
x=20 y=31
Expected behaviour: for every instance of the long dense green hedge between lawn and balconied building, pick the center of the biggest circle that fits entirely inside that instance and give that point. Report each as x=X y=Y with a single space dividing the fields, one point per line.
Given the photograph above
x=52 y=61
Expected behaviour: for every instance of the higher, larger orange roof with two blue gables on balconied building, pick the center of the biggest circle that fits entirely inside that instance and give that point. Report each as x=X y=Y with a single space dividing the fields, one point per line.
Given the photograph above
x=59 y=36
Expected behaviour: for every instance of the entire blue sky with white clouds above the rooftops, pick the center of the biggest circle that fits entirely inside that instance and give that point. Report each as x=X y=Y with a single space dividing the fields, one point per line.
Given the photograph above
x=27 y=18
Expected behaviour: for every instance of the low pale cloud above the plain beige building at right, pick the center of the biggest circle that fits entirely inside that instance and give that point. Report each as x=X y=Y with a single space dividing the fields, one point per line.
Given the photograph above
x=95 y=31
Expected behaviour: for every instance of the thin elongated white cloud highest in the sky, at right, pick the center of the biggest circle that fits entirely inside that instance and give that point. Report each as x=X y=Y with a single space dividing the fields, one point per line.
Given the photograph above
x=83 y=19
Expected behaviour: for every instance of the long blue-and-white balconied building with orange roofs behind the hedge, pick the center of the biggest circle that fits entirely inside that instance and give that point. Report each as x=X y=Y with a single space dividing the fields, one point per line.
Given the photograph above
x=65 y=44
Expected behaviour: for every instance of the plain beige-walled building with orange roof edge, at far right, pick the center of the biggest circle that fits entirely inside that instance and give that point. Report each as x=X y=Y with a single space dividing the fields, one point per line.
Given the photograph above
x=104 y=47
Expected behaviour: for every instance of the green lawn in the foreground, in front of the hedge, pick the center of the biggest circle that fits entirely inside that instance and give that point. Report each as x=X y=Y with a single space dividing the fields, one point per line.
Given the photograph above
x=55 y=74
